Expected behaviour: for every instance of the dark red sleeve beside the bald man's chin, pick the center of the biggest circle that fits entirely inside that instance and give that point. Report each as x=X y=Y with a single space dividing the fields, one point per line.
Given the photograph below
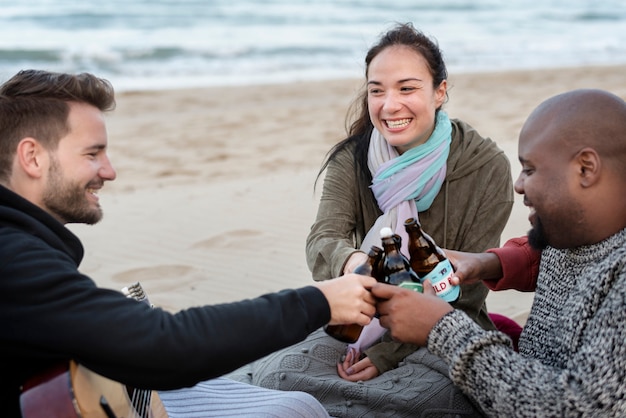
x=520 y=266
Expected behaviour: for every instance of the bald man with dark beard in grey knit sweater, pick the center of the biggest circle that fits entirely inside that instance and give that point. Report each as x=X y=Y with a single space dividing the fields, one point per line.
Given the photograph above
x=572 y=352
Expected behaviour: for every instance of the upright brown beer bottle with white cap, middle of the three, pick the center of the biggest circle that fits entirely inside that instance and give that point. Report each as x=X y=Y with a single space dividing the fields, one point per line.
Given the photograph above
x=396 y=267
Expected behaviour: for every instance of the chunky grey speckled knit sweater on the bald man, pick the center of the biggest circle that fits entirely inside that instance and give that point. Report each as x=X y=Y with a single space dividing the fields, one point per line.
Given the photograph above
x=572 y=359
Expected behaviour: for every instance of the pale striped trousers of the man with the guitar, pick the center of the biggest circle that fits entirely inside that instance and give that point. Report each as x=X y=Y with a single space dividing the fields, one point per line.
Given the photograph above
x=223 y=397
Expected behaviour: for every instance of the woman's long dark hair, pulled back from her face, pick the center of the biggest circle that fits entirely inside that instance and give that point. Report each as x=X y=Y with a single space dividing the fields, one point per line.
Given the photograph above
x=359 y=131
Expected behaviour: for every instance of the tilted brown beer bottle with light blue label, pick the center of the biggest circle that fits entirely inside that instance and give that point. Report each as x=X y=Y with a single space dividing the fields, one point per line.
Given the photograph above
x=430 y=262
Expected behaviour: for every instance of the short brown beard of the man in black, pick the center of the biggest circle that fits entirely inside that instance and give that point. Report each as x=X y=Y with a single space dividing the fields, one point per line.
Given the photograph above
x=67 y=201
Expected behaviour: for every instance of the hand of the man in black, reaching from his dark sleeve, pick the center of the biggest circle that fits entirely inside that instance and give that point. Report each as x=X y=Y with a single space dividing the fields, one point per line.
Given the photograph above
x=349 y=298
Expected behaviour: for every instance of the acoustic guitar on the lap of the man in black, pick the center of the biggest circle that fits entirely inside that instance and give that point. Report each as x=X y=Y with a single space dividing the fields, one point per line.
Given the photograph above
x=73 y=391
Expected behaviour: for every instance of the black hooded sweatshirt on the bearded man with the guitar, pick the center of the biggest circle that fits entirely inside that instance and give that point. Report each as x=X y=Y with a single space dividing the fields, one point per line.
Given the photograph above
x=50 y=313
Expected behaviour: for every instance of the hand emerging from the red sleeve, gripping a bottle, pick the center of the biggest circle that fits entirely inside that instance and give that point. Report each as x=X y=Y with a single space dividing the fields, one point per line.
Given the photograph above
x=473 y=267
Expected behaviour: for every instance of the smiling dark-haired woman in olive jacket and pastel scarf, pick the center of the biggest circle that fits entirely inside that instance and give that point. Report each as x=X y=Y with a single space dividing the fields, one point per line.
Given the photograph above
x=404 y=158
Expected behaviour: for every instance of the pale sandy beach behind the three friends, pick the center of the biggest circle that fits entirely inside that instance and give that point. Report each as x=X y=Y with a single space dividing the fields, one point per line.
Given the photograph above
x=215 y=188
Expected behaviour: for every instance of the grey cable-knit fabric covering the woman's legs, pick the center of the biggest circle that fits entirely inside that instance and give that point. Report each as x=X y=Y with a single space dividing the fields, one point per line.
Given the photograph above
x=418 y=387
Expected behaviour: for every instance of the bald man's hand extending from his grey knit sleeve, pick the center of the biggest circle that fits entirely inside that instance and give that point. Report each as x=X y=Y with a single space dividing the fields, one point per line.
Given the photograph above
x=409 y=315
